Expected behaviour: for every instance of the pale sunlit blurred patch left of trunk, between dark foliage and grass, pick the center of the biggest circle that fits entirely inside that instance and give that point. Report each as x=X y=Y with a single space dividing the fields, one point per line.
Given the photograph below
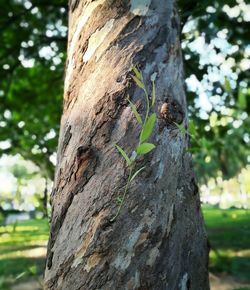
x=23 y=187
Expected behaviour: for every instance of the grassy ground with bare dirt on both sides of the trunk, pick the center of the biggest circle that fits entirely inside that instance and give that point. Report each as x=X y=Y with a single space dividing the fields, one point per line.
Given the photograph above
x=23 y=250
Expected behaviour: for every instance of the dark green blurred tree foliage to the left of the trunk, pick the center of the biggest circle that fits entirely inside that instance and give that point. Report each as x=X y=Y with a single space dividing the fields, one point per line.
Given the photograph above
x=33 y=42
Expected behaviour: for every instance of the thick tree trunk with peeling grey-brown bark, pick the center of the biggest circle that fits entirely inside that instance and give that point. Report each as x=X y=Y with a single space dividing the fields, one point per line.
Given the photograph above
x=158 y=240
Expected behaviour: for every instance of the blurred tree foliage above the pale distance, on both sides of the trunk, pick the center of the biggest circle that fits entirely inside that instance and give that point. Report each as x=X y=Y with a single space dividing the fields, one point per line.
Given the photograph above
x=216 y=46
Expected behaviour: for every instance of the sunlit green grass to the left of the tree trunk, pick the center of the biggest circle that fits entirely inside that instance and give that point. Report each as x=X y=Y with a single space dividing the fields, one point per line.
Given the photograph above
x=22 y=248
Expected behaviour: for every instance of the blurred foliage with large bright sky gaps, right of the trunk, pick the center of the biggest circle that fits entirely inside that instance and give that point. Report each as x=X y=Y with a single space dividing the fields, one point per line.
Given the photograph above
x=227 y=147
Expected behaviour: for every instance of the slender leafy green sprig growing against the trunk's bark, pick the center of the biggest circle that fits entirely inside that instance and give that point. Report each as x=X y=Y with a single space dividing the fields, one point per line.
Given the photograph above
x=142 y=148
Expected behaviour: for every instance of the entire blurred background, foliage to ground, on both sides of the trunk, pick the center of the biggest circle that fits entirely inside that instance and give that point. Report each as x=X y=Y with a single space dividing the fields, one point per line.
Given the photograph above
x=216 y=52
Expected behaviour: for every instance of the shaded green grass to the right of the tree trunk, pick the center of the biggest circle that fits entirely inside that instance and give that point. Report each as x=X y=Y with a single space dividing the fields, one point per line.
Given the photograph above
x=229 y=235
